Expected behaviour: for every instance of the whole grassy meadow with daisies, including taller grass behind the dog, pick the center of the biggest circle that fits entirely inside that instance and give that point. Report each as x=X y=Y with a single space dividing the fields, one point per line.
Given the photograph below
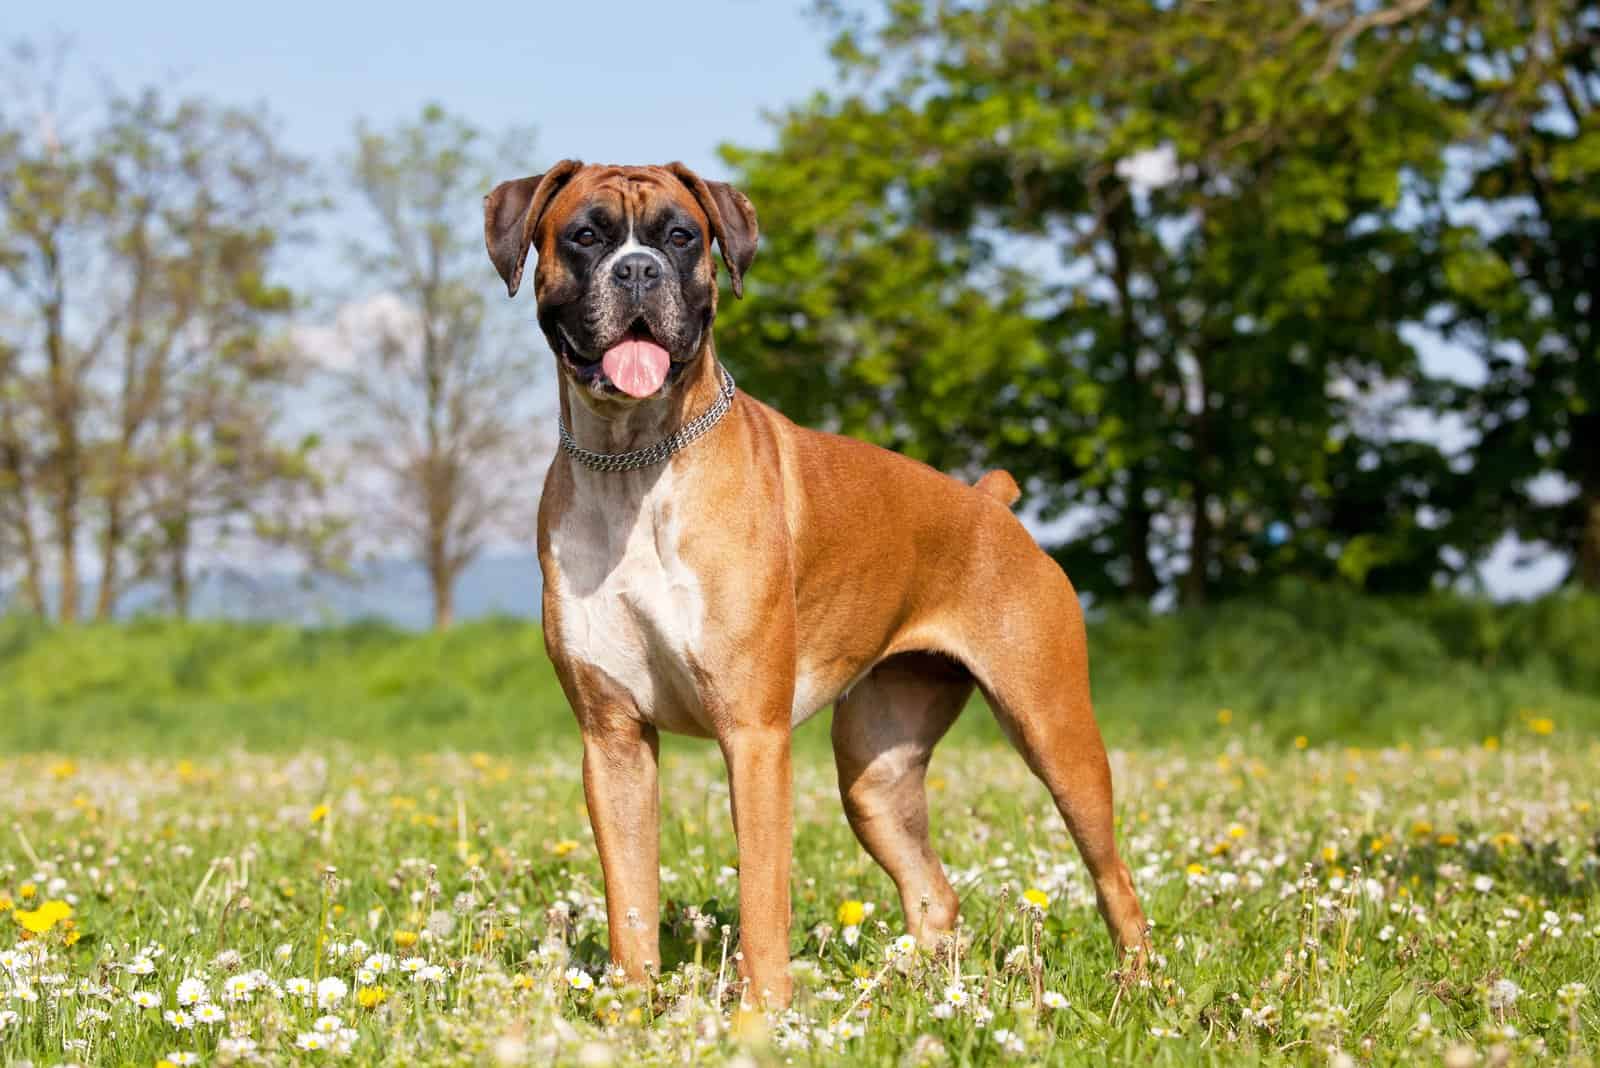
x=1367 y=832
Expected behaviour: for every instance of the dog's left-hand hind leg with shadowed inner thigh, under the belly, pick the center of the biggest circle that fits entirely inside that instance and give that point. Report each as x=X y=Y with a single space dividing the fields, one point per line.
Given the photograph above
x=884 y=735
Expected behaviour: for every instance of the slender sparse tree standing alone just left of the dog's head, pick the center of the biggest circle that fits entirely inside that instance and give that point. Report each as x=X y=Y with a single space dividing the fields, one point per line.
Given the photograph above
x=439 y=402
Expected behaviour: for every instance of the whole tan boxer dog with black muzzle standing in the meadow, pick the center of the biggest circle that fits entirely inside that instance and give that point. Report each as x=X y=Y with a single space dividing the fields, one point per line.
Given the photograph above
x=714 y=570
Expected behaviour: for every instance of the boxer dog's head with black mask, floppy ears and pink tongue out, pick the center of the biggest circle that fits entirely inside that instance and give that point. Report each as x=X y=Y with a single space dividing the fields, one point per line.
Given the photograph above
x=626 y=284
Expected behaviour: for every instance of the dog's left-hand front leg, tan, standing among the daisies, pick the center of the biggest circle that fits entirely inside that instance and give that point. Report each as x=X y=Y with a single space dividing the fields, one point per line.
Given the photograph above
x=620 y=786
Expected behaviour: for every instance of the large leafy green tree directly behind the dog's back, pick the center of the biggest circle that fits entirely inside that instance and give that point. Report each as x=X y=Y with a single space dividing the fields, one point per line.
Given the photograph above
x=1151 y=258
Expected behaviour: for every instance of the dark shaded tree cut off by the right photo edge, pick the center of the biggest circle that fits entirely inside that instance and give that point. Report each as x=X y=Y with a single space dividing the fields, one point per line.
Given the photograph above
x=1518 y=226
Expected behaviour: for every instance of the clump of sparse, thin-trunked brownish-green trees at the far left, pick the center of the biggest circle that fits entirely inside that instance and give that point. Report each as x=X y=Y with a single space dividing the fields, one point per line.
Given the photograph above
x=138 y=253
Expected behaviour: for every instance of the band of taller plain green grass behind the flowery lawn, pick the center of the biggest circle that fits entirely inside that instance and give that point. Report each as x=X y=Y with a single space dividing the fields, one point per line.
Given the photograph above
x=1310 y=661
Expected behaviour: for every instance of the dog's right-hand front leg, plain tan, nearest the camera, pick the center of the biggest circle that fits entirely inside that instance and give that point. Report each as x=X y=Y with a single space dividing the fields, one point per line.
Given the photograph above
x=761 y=783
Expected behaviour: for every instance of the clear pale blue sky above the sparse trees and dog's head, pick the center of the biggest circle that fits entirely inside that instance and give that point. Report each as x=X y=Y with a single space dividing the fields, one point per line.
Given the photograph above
x=609 y=82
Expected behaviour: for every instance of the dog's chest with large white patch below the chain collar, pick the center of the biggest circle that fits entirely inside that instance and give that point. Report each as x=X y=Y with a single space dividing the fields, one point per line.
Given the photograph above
x=630 y=605
